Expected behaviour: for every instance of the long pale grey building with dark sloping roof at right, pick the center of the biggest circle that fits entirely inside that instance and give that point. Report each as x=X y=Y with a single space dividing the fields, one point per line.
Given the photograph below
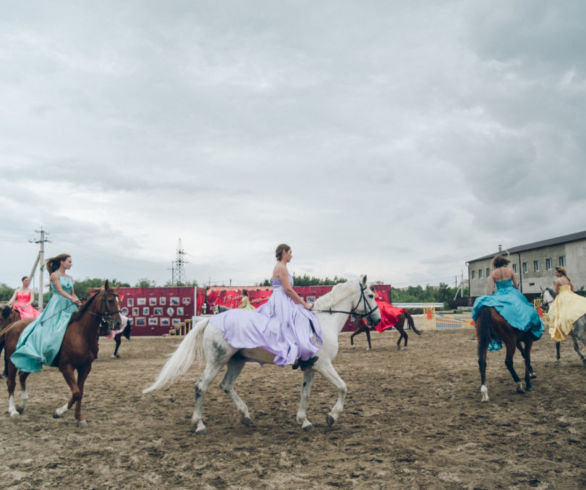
x=534 y=264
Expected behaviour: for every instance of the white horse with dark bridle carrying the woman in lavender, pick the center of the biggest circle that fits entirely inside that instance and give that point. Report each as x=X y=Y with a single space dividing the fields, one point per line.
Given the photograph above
x=332 y=309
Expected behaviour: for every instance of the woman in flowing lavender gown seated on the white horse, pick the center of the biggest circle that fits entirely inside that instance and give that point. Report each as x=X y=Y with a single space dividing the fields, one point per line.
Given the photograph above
x=284 y=325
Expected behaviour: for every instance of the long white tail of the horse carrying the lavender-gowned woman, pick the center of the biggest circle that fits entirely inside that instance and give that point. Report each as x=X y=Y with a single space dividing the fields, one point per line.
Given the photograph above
x=189 y=350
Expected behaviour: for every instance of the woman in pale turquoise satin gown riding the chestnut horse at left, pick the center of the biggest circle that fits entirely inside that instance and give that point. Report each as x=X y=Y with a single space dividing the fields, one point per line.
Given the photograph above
x=40 y=341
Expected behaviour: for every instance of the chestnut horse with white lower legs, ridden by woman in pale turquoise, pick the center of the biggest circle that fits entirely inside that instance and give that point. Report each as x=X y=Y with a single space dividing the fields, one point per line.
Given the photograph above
x=79 y=348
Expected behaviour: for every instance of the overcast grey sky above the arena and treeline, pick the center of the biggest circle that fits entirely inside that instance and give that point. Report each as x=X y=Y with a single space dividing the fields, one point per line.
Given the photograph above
x=397 y=139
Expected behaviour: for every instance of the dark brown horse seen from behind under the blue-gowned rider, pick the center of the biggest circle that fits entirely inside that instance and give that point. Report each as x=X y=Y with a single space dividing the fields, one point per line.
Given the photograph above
x=491 y=325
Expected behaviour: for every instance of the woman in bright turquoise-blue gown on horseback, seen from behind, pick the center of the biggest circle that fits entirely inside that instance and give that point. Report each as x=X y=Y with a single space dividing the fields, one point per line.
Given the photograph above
x=509 y=302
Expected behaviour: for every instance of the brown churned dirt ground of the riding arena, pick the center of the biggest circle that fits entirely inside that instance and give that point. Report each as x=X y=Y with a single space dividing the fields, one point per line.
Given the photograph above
x=413 y=419
